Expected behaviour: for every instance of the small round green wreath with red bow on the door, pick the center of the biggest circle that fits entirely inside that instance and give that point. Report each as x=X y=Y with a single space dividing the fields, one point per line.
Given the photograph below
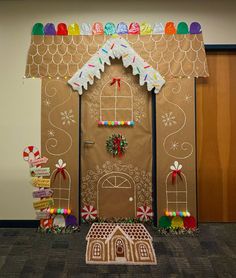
x=116 y=144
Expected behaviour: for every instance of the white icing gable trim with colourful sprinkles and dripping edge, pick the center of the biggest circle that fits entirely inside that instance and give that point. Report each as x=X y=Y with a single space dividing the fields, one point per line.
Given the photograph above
x=116 y=47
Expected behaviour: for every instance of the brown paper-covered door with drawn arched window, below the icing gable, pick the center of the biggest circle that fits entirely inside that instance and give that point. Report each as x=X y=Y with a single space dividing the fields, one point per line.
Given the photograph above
x=116 y=186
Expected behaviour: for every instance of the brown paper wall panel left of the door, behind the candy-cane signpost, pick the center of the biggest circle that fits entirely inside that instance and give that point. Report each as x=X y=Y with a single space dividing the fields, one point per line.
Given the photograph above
x=59 y=140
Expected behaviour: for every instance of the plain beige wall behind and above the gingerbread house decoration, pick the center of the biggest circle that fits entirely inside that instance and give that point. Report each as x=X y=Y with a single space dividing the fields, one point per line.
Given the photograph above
x=20 y=102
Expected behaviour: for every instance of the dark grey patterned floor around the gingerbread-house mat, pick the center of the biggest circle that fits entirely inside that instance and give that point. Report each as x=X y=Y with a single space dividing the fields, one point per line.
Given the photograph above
x=25 y=253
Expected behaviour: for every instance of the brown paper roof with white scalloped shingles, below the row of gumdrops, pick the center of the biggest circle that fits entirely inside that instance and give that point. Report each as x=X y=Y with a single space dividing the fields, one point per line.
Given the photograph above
x=171 y=55
